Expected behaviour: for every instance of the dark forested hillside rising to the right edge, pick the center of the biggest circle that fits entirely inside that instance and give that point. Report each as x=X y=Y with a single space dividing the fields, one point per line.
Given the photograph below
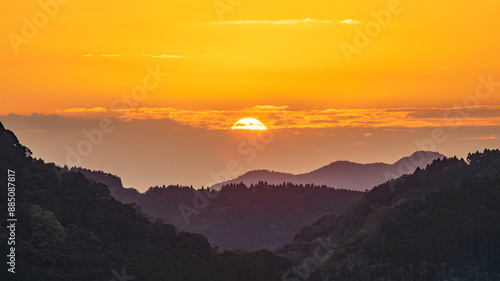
x=441 y=223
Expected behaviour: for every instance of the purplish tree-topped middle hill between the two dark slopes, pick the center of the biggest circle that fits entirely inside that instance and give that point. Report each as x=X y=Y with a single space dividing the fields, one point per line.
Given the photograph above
x=236 y=217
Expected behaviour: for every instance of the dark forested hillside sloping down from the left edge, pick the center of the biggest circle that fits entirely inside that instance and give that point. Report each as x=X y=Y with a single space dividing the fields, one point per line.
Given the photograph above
x=70 y=228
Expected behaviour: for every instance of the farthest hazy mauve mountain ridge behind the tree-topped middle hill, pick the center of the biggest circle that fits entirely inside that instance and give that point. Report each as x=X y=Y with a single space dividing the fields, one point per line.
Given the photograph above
x=343 y=174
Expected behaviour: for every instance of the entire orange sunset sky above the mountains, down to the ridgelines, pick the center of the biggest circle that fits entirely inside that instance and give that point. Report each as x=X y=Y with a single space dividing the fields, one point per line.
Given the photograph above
x=422 y=65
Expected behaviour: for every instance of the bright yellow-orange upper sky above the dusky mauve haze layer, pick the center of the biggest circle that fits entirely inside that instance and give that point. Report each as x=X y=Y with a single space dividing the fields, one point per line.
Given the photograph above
x=87 y=54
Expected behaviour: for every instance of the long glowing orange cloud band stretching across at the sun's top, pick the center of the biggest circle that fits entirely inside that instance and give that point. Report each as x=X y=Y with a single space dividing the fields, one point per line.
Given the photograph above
x=284 y=117
